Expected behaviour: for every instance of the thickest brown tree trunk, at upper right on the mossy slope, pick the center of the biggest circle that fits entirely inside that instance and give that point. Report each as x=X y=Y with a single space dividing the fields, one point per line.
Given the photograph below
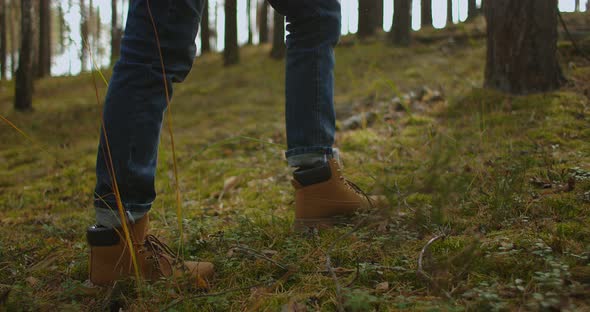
x=522 y=46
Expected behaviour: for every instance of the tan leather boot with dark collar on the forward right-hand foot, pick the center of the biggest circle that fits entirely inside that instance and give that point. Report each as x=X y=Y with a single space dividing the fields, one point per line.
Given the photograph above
x=323 y=197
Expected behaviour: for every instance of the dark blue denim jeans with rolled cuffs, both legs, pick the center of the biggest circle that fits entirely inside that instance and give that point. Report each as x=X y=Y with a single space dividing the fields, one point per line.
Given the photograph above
x=136 y=97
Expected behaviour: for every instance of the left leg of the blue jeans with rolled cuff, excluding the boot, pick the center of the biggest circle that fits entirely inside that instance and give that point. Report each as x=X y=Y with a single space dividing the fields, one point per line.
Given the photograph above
x=136 y=101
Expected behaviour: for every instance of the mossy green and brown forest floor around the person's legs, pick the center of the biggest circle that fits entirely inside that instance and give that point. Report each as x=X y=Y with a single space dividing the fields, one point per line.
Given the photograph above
x=501 y=182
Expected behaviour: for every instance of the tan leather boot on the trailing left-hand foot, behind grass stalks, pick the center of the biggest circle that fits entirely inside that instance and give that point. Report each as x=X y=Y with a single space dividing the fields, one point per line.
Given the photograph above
x=110 y=259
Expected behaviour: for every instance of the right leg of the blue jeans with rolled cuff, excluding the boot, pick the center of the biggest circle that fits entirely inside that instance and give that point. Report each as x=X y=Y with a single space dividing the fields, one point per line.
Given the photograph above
x=314 y=30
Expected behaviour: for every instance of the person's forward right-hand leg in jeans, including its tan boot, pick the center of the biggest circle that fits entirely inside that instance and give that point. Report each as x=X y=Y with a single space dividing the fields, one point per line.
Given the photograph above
x=322 y=194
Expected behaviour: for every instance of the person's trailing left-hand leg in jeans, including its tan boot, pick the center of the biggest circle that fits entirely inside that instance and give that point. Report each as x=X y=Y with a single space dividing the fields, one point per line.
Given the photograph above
x=134 y=107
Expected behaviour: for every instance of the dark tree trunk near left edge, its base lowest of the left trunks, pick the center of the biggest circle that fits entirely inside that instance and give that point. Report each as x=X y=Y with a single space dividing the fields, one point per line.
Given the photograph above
x=23 y=93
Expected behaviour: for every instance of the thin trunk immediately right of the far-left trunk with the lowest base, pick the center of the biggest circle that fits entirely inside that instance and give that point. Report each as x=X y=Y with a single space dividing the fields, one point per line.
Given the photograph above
x=44 y=62
